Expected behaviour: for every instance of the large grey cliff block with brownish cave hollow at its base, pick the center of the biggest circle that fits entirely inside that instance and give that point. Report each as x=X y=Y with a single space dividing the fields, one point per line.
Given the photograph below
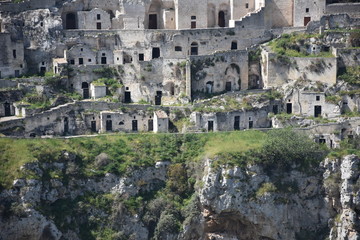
x=237 y=204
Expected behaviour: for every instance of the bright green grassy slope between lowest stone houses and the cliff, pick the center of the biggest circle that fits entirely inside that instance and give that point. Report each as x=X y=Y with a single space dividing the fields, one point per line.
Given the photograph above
x=124 y=150
